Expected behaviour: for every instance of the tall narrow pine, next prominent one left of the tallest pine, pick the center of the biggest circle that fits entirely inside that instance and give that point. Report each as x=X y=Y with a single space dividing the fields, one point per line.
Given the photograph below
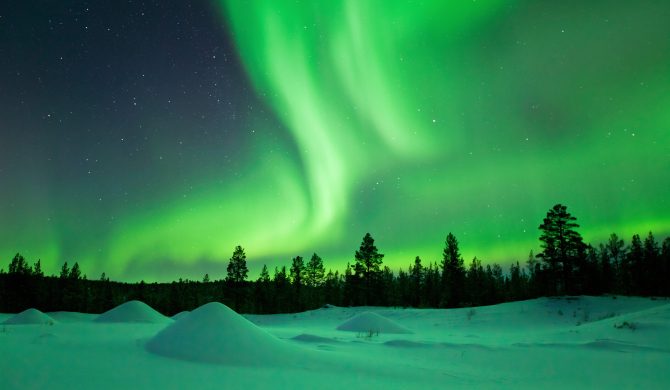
x=453 y=273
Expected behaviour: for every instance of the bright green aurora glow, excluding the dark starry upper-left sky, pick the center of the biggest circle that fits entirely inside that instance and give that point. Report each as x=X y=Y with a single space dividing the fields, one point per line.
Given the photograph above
x=414 y=119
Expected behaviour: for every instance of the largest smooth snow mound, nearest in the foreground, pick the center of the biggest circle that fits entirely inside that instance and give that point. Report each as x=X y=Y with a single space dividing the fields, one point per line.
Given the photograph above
x=213 y=333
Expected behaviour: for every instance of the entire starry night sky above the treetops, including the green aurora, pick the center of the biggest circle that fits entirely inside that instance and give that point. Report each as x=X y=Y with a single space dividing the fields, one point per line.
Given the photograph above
x=146 y=139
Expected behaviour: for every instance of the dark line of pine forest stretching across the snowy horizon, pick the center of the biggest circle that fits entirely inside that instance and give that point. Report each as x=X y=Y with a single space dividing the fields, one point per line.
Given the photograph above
x=564 y=266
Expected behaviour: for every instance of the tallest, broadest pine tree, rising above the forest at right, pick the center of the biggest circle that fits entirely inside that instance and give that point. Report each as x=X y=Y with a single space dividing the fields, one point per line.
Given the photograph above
x=562 y=248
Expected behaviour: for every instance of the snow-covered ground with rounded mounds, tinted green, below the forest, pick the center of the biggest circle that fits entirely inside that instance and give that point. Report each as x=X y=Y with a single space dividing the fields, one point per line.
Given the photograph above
x=577 y=342
